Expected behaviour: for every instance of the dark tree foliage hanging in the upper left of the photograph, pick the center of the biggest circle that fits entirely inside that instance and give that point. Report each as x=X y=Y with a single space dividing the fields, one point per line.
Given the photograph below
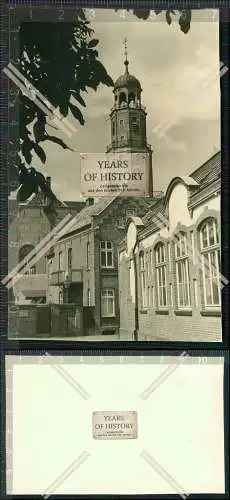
x=61 y=62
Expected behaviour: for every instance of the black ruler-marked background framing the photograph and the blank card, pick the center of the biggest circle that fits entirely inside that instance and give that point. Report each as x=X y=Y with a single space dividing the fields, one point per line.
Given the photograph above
x=119 y=348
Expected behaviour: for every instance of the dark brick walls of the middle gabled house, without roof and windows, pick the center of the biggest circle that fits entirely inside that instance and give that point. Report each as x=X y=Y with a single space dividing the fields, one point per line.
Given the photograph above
x=95 y=278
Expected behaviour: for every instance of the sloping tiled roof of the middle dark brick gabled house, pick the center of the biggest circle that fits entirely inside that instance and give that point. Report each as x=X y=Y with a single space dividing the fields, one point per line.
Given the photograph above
x=84 y=217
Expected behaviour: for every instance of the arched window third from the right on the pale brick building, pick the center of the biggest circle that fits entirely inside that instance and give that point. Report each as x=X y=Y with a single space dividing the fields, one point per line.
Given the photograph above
x=161 y=275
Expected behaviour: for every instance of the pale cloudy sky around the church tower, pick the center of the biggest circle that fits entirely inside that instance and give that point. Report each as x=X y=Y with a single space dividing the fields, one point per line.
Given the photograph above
x=171 y=67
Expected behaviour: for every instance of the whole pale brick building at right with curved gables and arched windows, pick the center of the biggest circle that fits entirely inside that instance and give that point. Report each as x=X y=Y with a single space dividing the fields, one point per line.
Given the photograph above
x=175 y=284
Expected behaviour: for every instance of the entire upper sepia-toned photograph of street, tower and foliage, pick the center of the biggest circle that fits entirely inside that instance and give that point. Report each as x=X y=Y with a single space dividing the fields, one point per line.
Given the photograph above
x=85 y=260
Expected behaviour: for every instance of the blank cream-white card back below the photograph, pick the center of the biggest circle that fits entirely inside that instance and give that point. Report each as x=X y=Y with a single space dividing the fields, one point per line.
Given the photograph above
x=180 y=444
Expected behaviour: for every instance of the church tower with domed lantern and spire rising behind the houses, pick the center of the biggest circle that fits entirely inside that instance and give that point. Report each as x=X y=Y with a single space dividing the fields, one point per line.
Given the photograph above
x=128 y=119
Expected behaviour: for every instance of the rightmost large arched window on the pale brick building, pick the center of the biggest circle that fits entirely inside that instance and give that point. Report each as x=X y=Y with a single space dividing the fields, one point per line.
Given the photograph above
x=210 y=256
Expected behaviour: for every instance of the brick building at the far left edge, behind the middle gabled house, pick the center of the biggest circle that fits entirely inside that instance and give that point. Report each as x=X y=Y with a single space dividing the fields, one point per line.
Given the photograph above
x=29 y=223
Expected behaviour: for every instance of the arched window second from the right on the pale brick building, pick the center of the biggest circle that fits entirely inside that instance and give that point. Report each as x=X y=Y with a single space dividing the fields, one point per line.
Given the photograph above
x=182 y=271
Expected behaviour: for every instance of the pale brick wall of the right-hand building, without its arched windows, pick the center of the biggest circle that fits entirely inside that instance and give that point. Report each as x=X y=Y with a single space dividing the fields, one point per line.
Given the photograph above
x=169 y=324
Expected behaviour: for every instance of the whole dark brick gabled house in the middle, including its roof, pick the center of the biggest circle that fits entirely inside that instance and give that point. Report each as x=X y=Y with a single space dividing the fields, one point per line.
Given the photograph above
x=84 y=265
